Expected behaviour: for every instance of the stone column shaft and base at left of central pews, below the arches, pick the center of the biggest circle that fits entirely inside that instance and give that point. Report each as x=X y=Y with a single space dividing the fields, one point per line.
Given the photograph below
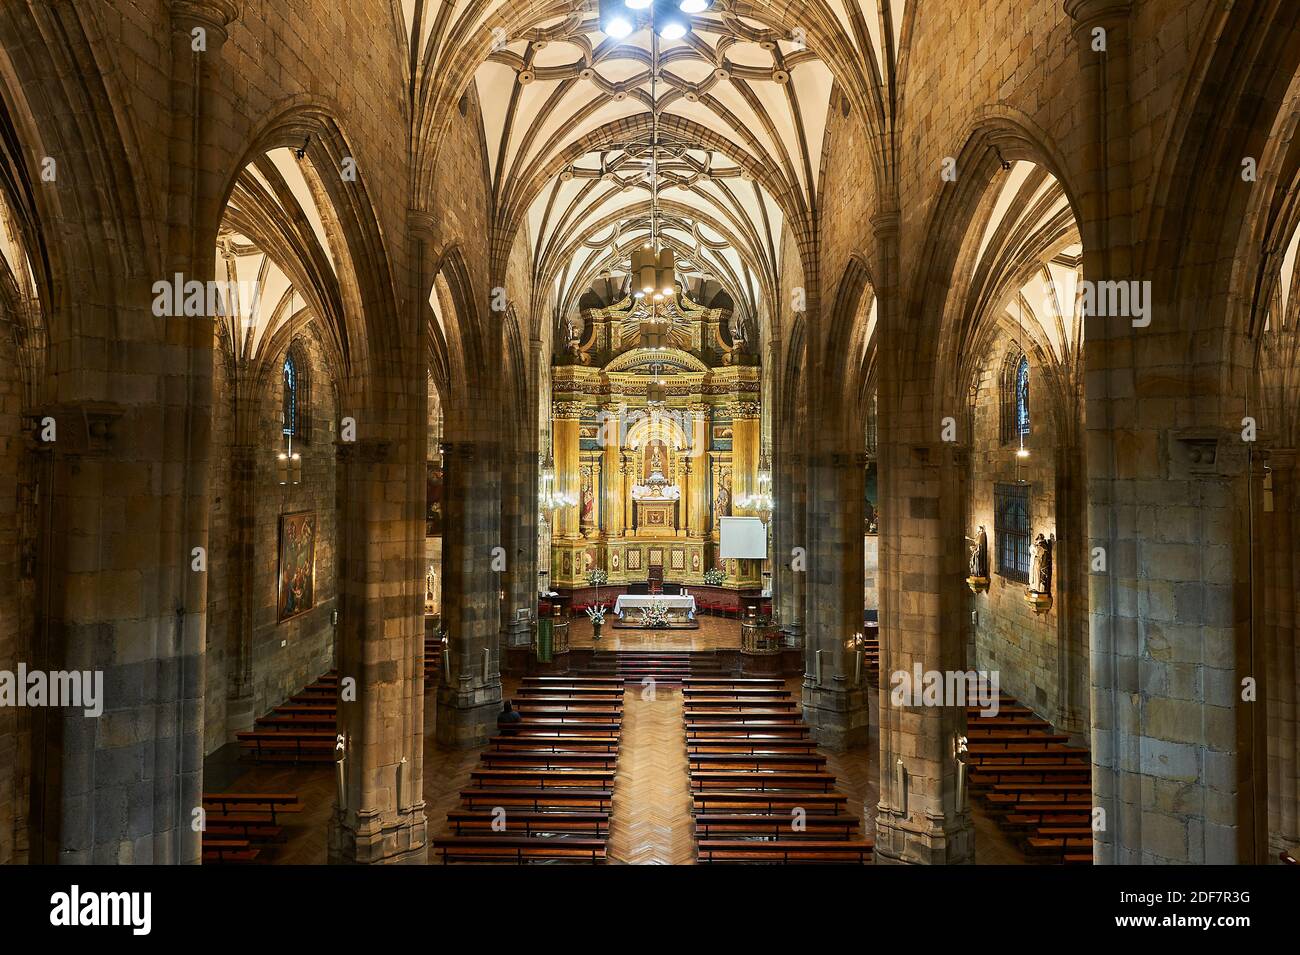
x=380 y=641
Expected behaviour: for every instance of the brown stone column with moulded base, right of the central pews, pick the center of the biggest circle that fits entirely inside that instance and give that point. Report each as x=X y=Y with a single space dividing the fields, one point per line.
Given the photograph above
x=924 y=597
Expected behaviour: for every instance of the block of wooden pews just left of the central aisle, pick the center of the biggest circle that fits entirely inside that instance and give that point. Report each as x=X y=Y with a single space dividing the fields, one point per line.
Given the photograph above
x=544 y=788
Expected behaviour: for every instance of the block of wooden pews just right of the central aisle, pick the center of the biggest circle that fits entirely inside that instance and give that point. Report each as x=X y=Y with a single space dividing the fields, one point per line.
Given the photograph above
x=761 y=791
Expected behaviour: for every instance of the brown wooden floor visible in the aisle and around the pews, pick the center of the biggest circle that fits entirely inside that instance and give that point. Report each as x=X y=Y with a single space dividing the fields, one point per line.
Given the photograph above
x=652 y=805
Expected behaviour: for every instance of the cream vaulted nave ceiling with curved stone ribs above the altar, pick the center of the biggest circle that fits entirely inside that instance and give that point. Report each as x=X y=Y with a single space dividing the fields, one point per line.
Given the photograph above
x=742 y=102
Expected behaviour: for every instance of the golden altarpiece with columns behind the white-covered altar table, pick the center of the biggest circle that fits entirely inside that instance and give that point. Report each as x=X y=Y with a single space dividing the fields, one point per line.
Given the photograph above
x=656 y=436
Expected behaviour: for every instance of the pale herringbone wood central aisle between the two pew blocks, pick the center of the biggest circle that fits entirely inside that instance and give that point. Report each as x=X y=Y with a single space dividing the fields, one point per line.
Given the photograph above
x=651 y=823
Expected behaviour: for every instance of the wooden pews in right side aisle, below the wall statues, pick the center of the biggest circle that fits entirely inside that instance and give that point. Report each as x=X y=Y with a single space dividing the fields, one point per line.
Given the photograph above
x=1034 y=784
